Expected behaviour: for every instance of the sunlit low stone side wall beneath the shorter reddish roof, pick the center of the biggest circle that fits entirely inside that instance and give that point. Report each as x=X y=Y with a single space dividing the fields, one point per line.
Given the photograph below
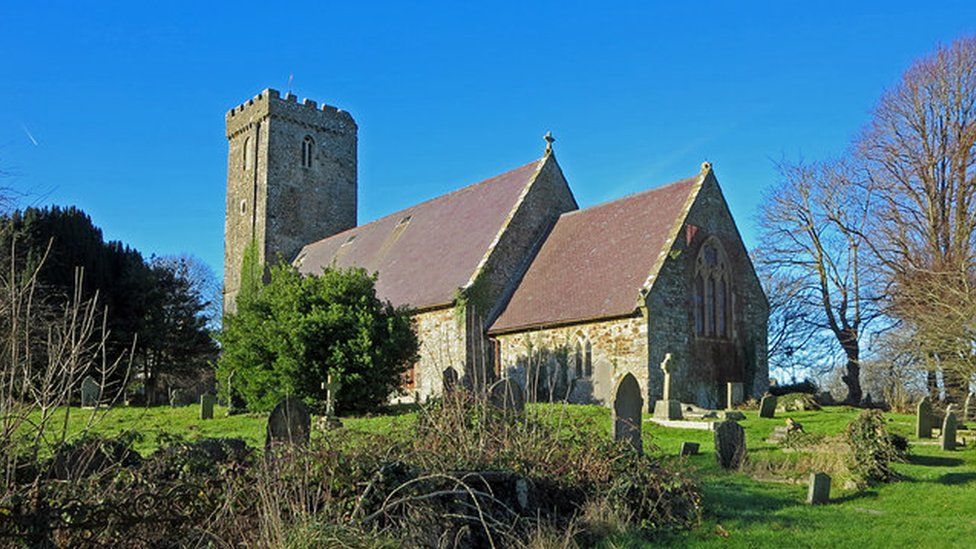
x=617 y=347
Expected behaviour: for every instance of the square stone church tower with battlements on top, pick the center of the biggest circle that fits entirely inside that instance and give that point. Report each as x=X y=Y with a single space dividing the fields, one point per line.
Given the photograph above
x=291 y=179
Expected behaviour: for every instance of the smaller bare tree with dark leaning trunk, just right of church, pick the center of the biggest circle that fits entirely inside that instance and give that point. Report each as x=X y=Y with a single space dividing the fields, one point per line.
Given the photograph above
x=811 y=226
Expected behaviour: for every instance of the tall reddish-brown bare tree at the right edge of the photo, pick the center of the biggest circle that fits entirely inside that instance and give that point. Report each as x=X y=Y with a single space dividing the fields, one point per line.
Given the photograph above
x=920 y=151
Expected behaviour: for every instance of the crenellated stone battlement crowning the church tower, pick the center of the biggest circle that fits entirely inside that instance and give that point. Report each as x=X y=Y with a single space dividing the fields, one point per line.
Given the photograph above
x=270 y=101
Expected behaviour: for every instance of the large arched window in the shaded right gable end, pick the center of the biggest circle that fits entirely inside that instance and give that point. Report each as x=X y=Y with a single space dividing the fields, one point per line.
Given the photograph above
x=712 y=292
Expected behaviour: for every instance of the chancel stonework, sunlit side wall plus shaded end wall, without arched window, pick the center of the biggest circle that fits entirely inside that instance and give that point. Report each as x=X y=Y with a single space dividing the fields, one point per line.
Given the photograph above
x=663 y=323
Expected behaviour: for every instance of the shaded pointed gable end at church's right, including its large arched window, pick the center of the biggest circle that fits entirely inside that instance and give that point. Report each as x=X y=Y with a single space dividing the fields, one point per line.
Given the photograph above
x=706 y=307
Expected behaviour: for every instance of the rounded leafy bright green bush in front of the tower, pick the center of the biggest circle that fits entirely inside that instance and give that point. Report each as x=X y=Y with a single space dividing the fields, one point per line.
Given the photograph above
x=290 y=335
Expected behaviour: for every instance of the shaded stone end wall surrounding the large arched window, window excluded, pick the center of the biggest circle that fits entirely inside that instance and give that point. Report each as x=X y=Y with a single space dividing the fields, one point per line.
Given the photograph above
x=701 y=366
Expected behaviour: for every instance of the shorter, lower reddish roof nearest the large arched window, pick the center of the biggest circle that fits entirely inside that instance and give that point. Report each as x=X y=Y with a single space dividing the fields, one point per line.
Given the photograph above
x=595 y=261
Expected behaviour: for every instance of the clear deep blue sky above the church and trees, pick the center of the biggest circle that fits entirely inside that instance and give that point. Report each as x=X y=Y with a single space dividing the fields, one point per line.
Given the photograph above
x=118 y=107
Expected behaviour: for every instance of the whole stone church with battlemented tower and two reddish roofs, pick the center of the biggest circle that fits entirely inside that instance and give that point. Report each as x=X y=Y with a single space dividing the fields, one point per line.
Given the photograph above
x=508 y=277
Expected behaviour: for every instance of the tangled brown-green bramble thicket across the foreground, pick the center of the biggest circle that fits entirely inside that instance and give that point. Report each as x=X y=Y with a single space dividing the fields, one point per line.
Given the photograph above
x=465 y=475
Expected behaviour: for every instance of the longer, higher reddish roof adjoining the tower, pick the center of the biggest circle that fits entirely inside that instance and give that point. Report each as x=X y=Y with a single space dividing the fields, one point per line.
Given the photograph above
x=423 y=254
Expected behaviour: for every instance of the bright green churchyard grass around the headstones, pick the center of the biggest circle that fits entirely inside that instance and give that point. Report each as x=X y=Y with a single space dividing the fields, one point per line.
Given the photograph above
x=933 y=500
